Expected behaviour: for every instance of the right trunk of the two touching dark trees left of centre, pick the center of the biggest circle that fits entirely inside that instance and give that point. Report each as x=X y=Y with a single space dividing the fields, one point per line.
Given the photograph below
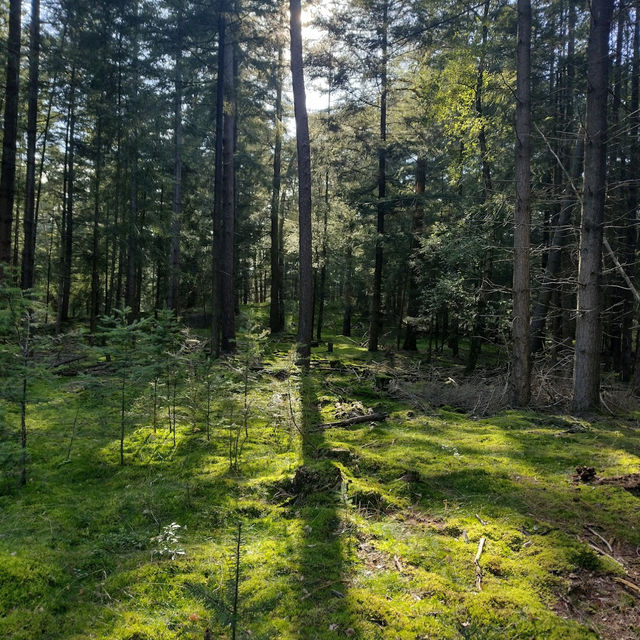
x=227 y=289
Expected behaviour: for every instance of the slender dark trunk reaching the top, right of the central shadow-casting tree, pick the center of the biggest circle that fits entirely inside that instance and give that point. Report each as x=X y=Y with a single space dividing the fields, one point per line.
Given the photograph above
x=375 y=324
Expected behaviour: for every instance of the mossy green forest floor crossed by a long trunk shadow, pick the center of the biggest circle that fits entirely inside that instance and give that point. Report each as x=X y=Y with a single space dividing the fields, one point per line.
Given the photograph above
x=370 y=530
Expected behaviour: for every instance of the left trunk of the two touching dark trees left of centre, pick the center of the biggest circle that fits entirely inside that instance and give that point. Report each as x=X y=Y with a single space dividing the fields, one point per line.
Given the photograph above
x=216 y=257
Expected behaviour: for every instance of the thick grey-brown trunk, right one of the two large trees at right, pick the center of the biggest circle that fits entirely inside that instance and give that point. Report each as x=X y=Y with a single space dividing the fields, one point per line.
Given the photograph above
x=586 y=372
